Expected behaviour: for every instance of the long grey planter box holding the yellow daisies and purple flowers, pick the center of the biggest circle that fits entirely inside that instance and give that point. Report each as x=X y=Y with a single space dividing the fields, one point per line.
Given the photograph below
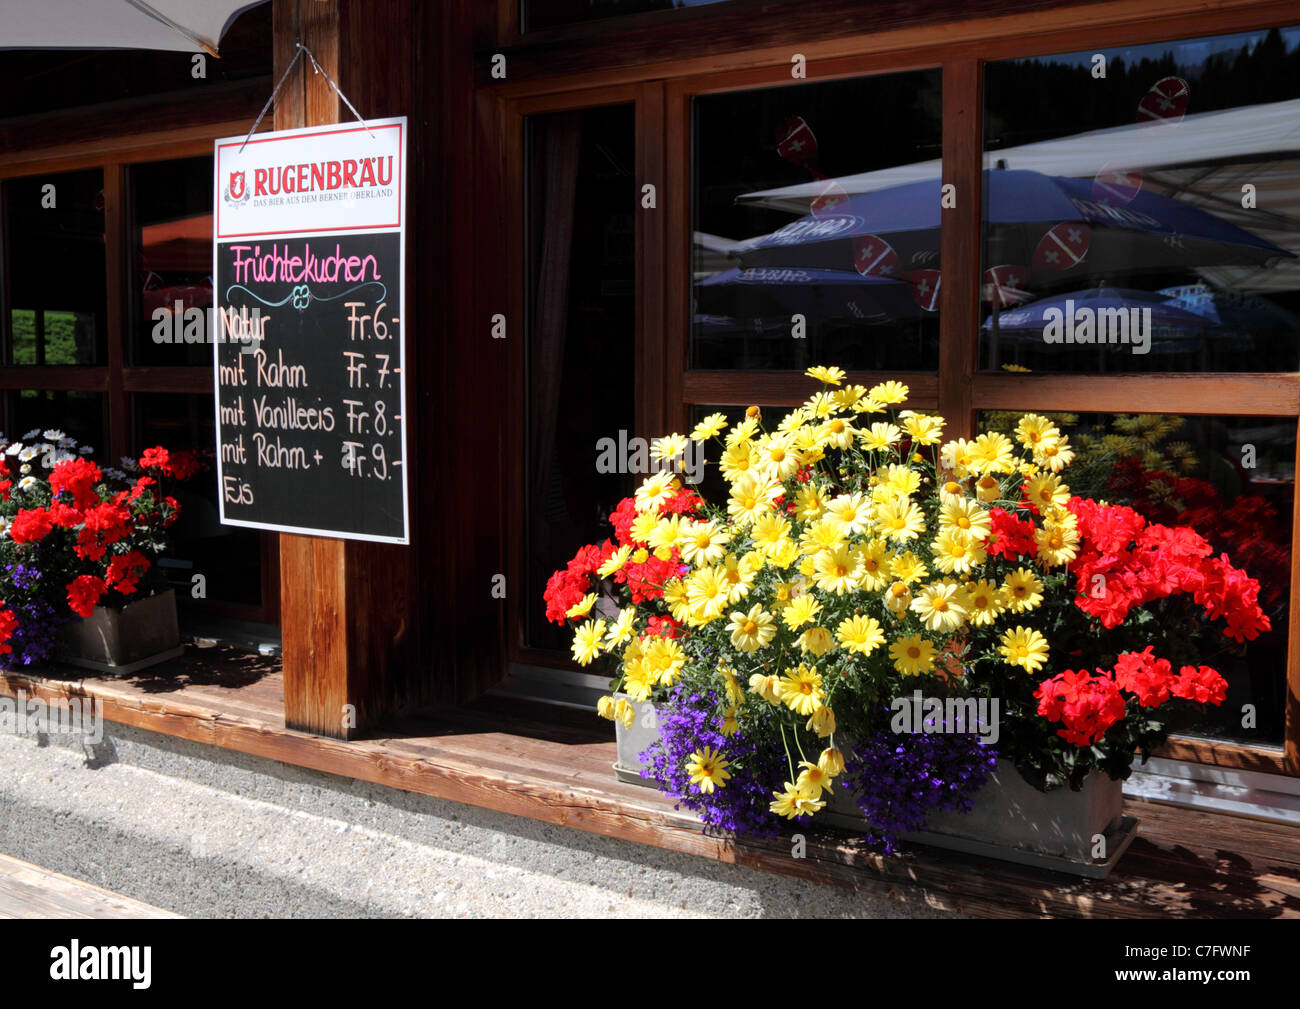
x=1011 y=821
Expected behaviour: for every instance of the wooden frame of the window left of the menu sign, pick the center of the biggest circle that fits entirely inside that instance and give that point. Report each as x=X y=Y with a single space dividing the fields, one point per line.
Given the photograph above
x=115 y=379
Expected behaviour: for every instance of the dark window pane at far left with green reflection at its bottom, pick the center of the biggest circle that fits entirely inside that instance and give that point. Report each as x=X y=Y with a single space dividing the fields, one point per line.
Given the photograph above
x=54 y=261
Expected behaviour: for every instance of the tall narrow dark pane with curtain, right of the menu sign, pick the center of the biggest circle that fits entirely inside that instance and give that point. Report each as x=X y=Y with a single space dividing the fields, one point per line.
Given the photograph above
x=582 y=198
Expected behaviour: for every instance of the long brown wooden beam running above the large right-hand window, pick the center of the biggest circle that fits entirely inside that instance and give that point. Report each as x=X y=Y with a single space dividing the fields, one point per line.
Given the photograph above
x=731 y=37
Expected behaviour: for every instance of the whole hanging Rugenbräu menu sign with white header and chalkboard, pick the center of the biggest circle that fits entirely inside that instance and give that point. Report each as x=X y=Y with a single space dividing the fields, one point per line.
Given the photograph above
x=310 y=365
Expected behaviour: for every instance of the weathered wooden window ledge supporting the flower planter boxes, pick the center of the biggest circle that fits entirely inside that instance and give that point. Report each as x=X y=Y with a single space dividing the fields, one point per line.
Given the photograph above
x=554 y=765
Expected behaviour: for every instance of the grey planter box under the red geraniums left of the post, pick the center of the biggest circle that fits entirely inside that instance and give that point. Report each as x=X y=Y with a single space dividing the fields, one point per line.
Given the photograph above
x=124 y=642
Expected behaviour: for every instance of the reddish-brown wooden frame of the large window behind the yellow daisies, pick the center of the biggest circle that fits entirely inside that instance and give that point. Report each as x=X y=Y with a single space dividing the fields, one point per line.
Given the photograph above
x=664 y=93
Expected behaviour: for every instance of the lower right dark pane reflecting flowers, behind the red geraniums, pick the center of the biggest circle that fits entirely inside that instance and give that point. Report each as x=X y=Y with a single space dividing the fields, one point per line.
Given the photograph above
x=1233 y=482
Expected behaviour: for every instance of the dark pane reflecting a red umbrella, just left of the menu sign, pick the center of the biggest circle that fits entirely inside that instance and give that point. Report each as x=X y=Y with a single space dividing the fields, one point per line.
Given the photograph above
x=172 y=262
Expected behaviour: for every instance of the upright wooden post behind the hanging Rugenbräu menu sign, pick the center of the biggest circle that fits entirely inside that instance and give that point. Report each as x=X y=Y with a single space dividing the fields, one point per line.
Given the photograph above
x=345 y=605
